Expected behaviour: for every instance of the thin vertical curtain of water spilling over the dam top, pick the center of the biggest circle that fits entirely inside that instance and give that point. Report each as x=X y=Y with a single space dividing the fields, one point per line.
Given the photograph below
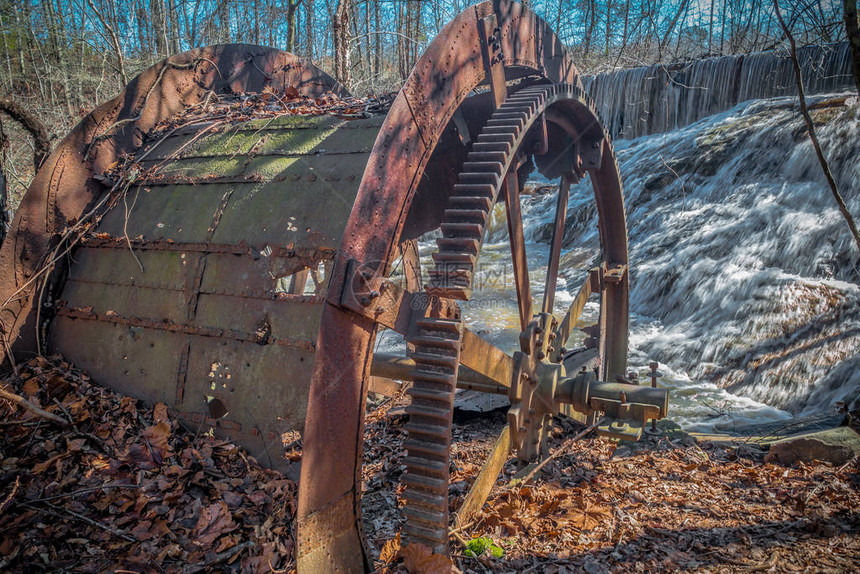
x=661 y=98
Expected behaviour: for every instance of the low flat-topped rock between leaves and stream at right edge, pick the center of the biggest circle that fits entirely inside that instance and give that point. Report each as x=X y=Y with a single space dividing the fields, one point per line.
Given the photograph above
x=836 y=446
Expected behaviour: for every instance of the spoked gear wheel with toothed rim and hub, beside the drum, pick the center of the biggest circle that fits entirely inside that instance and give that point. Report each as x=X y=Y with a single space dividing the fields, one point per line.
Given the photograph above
x=442 y=343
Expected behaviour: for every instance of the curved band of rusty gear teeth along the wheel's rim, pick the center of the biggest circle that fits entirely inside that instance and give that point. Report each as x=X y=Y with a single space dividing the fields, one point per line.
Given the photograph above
x=437 y=342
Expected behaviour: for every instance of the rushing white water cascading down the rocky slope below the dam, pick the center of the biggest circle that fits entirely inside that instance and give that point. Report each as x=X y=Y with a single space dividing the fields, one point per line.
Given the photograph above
x=743 y=273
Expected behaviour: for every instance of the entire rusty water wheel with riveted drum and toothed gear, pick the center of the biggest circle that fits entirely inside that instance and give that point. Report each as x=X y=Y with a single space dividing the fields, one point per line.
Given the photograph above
x=159 y=304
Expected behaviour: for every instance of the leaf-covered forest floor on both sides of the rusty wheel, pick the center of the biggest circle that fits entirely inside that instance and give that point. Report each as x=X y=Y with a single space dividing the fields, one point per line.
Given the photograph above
x=124 y=487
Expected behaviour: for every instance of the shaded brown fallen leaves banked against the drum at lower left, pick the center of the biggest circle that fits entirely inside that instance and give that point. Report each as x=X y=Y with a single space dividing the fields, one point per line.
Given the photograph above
x=126 y=485
